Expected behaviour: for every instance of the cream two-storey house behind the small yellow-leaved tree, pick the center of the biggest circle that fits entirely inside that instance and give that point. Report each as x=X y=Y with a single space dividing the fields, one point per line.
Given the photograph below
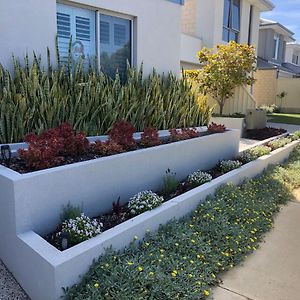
x=208 y=23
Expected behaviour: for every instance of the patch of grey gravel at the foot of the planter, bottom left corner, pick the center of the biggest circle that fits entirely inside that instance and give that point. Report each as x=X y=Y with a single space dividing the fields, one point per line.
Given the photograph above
x=9 y=287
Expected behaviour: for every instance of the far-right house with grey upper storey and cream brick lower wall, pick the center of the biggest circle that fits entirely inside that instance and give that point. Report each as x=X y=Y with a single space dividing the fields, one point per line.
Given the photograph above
x=277 y=67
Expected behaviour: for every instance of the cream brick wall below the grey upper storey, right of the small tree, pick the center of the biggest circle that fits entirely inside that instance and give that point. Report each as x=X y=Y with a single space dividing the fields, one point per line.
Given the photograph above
x=265 y=87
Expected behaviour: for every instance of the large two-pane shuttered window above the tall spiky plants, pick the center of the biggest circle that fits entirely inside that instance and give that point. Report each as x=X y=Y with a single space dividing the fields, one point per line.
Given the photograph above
x=111 y=44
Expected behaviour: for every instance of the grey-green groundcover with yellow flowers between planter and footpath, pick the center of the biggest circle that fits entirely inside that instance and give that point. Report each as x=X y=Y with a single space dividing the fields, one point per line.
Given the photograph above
x=185 y=259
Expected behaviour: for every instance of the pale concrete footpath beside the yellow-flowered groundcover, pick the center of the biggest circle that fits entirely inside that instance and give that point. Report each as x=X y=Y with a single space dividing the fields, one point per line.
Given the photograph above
x=273 y=271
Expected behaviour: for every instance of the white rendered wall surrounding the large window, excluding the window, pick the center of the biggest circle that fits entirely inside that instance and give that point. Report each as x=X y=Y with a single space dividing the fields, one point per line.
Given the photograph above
x=31 y=26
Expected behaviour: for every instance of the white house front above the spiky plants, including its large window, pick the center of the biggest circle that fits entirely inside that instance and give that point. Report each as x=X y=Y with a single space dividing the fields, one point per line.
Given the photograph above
x=137 y=31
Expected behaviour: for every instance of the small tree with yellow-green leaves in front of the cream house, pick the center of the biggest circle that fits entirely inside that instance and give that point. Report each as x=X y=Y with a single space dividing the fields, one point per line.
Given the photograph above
x=223 y=70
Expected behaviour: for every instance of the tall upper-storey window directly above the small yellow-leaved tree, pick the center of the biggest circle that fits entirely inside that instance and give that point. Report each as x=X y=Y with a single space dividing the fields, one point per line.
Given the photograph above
x=231 y=20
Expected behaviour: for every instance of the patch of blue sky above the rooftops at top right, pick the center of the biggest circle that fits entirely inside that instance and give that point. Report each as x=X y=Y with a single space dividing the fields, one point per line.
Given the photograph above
x=286 y=12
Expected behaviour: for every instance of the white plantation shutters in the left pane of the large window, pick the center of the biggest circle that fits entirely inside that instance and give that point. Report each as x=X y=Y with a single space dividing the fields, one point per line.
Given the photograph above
x=78 y=24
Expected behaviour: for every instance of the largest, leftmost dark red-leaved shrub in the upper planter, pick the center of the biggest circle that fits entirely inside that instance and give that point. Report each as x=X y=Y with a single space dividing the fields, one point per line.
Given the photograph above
x=49 y=148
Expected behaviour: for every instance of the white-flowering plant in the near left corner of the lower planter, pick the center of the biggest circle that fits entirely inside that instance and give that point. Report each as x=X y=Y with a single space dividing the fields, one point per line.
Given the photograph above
x=80 y=229
